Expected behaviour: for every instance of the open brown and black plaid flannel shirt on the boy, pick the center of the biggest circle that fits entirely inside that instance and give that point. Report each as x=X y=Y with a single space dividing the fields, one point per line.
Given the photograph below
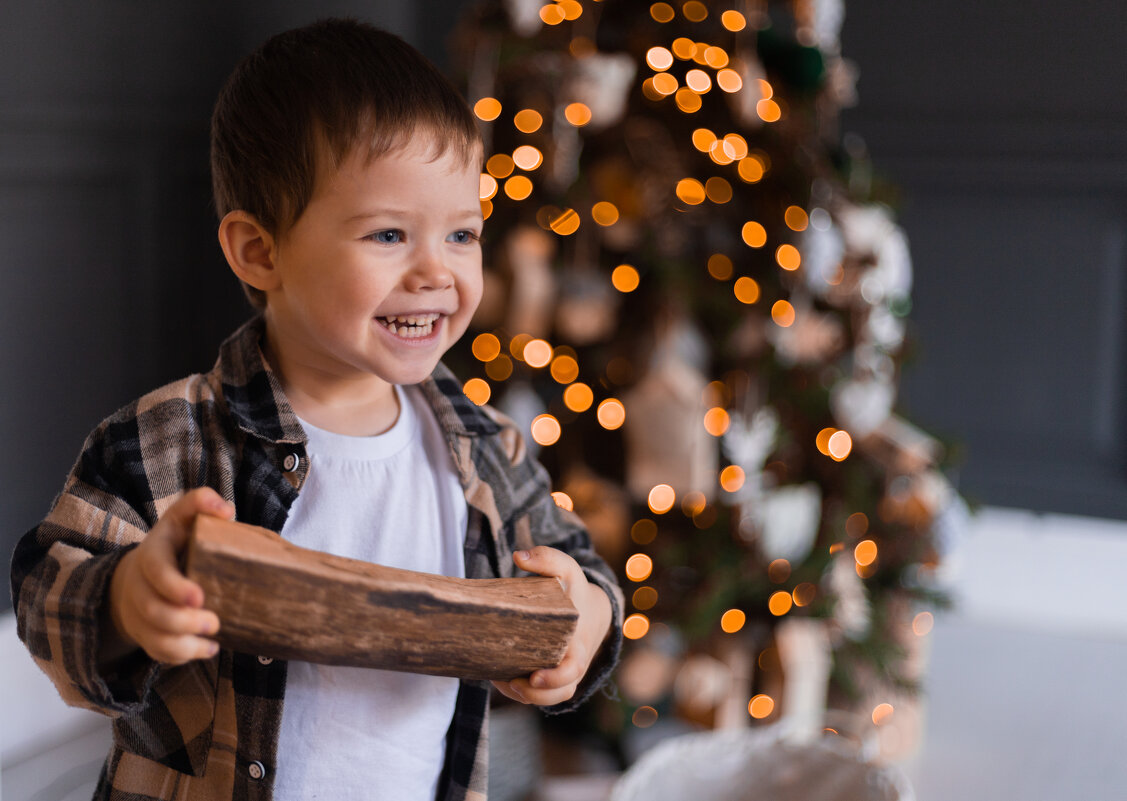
x=209 y=729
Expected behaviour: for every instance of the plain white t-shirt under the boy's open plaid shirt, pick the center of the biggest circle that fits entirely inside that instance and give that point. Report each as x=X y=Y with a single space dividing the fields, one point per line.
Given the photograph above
x=394 y=500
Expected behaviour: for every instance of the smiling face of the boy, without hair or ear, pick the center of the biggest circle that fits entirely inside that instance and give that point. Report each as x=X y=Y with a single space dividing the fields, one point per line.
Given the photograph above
x=381 y=273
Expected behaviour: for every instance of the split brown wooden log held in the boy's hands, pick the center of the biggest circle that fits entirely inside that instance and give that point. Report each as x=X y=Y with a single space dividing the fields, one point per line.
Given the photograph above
x=277 y=600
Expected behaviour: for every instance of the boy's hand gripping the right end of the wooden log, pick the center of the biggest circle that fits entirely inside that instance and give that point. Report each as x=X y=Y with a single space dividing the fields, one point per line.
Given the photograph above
x=555 y=686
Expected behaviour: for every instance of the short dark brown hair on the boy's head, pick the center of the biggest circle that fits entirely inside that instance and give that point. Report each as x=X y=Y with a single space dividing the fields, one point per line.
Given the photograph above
x=314 y=95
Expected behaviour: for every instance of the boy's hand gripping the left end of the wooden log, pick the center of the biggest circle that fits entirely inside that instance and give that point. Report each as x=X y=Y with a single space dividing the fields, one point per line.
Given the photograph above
x=153 y=606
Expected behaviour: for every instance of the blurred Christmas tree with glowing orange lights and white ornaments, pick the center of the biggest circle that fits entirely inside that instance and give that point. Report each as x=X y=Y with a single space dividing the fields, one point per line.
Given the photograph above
x=696 y=306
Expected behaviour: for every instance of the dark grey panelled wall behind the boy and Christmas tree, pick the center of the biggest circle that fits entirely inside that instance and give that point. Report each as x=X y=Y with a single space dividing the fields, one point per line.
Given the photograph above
x=1004 y=126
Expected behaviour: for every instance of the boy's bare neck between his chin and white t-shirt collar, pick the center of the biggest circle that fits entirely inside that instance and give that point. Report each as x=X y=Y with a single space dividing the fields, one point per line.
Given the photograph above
x=356 y=407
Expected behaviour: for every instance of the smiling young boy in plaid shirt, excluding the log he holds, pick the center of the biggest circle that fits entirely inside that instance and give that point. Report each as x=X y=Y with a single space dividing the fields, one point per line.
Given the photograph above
x=347 y=173
